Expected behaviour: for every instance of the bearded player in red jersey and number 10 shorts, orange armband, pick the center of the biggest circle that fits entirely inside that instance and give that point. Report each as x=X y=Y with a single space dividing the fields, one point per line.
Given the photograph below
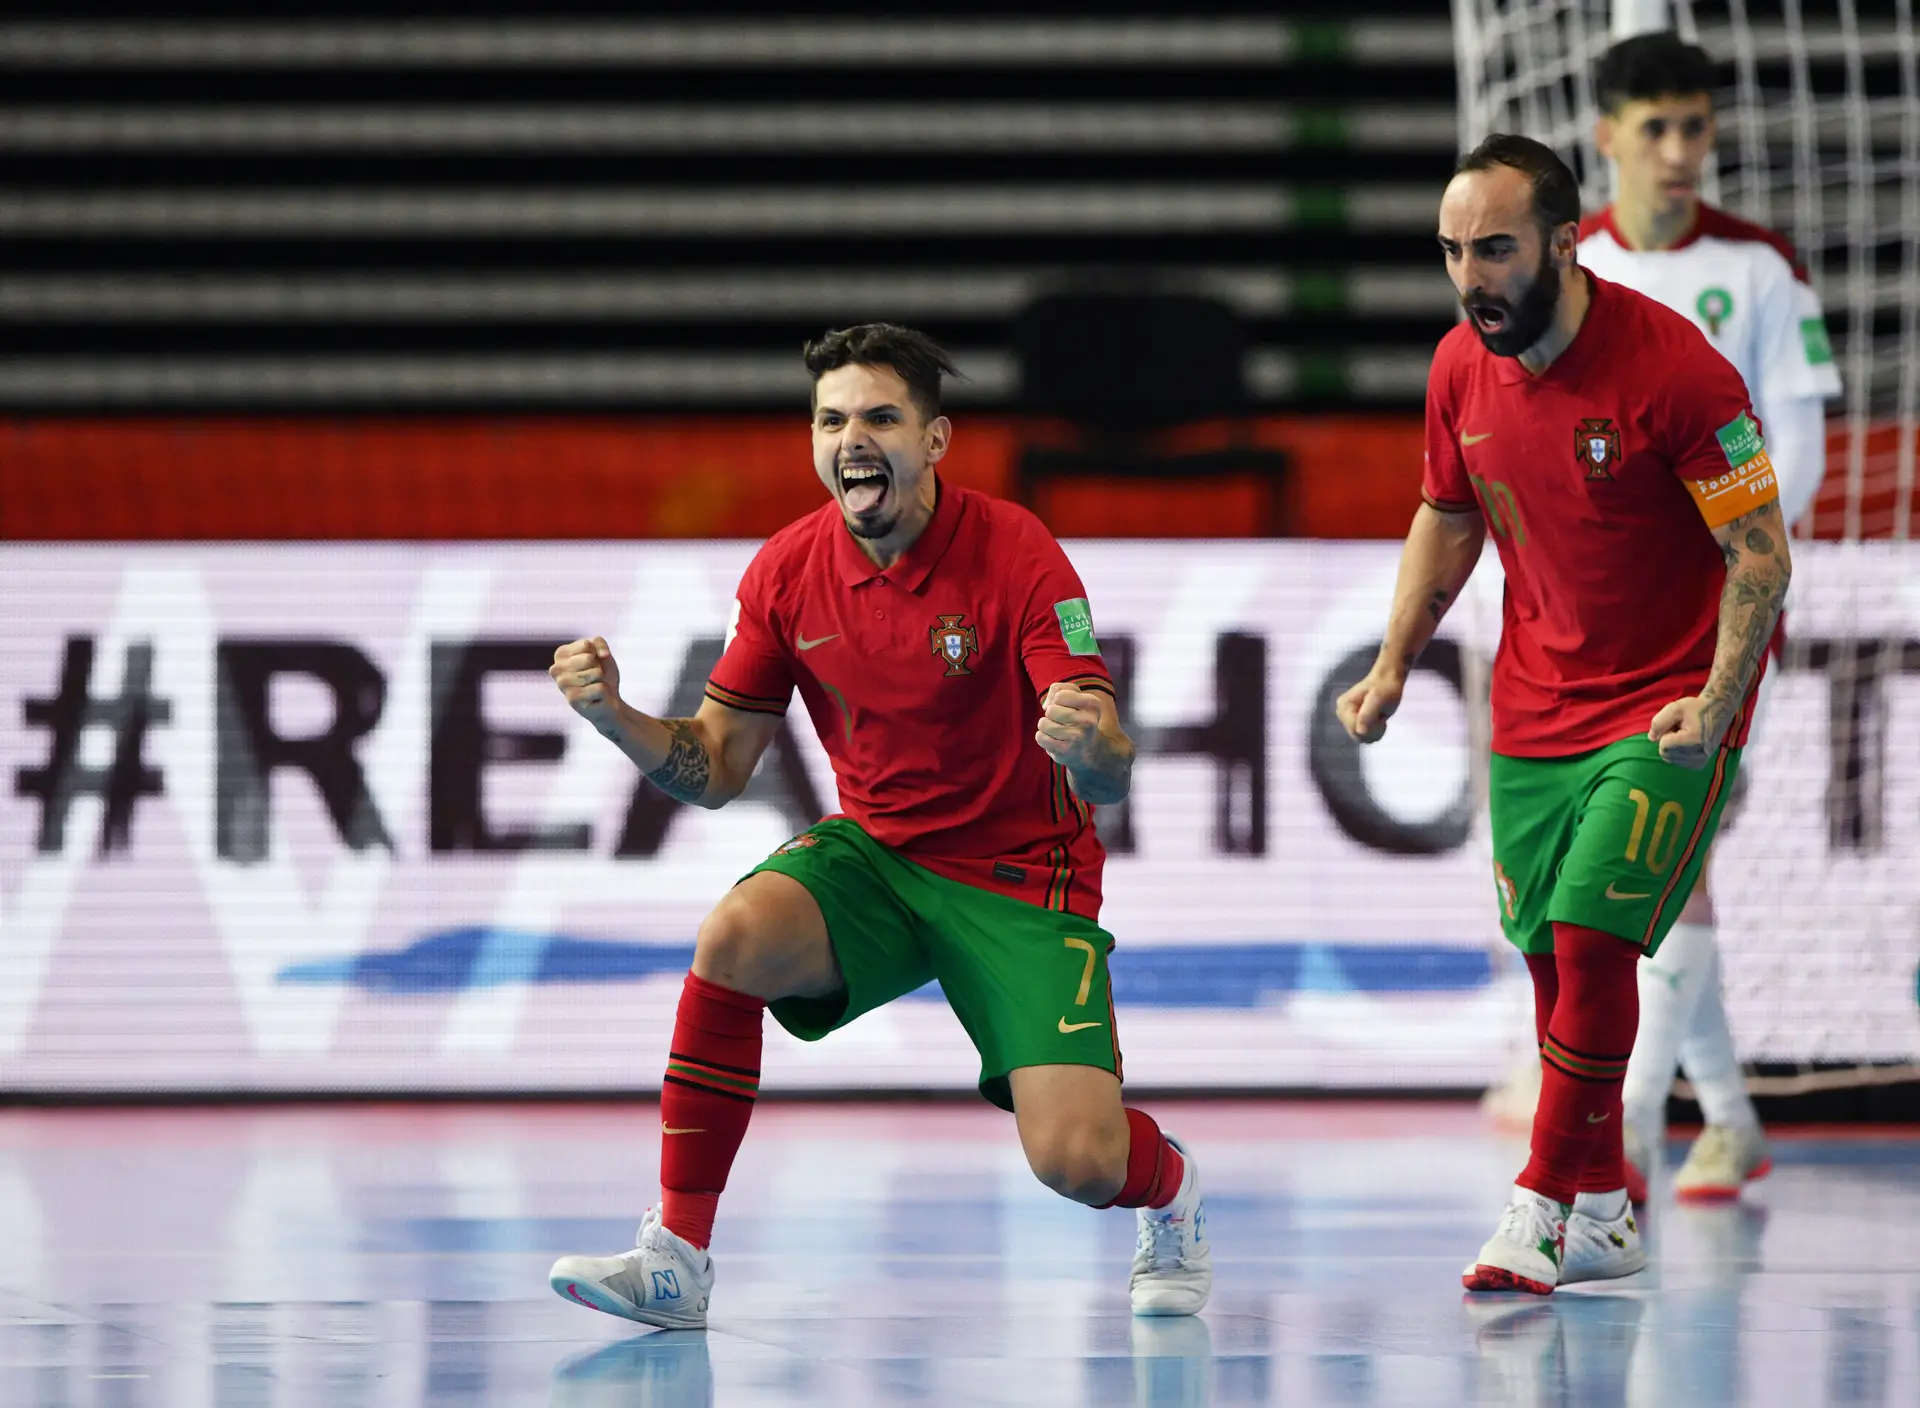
x=1616 y=456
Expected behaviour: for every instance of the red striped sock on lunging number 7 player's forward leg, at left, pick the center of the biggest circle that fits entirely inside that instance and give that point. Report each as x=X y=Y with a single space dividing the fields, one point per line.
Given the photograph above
x=713 y=1077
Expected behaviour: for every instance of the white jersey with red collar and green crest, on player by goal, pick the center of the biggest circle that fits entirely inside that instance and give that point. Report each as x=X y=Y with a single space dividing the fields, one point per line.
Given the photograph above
x=1742 y=289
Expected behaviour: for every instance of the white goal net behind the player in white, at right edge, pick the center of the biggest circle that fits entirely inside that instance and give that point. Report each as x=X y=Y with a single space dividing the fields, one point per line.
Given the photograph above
x=1819 y=883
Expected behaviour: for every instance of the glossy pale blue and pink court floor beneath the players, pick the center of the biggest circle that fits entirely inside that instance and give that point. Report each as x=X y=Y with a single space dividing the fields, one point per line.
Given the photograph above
x=901 y=1255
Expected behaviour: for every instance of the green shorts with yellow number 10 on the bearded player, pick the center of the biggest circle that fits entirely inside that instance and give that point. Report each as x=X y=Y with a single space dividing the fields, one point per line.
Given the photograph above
x=1612 y=840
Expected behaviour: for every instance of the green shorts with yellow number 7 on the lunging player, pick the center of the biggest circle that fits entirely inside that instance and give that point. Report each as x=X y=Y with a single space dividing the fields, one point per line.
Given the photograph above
x=1028 y=984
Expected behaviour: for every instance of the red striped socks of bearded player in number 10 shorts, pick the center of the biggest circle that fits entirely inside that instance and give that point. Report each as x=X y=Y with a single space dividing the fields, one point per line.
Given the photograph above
x=1583 y=1063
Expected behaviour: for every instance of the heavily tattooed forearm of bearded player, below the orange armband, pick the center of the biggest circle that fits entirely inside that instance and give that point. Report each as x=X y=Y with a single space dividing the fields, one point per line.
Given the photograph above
x=1758 y=571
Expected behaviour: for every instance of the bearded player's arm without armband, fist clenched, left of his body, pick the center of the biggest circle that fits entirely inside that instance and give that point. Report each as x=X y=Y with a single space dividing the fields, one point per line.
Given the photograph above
x=1441 y=554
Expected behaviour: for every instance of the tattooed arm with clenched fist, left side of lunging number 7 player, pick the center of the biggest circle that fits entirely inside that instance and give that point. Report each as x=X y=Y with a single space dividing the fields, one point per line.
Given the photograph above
x=704 y=762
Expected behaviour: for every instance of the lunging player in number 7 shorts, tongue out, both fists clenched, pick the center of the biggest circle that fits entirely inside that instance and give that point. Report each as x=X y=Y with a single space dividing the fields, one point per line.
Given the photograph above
x=924 y=627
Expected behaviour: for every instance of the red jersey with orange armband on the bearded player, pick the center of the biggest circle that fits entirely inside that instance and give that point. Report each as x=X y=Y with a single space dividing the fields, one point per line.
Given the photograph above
x=1600 y=481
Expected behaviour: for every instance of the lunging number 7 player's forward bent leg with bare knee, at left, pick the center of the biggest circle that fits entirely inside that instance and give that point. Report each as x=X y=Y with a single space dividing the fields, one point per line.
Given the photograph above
x=765 y=940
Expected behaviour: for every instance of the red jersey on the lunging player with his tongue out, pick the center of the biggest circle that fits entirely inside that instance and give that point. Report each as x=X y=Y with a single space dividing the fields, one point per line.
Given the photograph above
x=924 y=683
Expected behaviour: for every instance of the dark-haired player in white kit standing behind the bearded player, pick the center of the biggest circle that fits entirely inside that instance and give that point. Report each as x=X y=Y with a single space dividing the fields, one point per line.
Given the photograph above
x=1742 y=285
